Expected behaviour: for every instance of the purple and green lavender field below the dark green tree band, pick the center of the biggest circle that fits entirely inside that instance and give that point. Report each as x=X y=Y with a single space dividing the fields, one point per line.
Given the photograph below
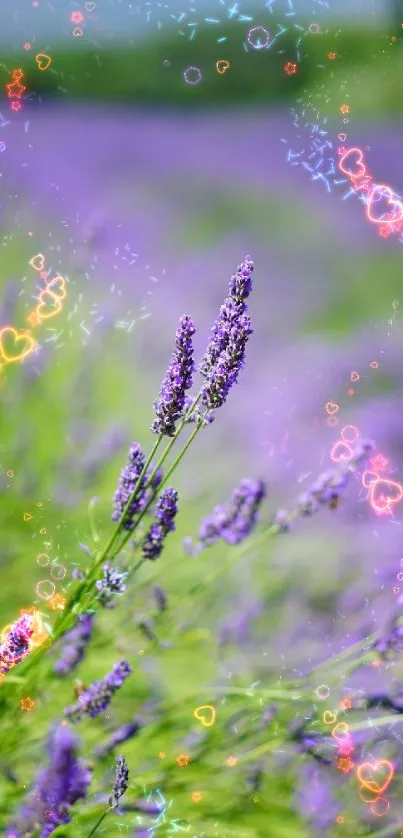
x=148 y=215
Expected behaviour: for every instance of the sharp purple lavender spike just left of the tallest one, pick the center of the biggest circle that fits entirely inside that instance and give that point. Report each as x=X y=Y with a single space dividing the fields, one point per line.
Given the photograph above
x=178 y=379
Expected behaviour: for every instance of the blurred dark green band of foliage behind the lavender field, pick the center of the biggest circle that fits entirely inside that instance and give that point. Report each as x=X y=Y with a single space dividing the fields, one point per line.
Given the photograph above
x=138 y=75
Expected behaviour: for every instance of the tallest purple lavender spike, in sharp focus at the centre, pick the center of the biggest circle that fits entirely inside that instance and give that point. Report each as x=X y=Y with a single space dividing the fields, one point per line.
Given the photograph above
x=225 y=353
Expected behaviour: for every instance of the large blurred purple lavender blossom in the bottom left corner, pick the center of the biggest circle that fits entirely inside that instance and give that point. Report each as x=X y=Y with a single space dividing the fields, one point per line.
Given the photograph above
x=56 y=788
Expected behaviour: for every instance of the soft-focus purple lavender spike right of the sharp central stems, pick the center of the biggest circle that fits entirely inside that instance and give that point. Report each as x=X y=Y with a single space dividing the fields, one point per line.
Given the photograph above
x=234 y=522
